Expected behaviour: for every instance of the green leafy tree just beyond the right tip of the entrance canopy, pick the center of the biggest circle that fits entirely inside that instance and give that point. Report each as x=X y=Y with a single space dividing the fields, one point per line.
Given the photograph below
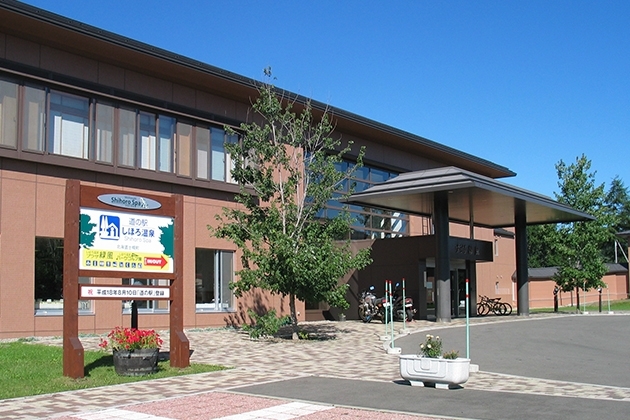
x=581 y=263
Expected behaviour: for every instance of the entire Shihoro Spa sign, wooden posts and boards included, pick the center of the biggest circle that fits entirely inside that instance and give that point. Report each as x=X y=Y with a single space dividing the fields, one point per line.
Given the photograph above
x=109 y=233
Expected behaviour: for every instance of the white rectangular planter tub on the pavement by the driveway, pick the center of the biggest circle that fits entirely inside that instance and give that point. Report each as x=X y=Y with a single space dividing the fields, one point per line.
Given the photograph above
x=420 y=371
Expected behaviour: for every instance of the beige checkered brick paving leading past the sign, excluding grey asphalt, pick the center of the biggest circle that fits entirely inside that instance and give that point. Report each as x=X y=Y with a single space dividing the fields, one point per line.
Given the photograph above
x=256 y=362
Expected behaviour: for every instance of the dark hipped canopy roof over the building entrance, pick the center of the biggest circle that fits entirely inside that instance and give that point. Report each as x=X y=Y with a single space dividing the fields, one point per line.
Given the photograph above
x=493 y=202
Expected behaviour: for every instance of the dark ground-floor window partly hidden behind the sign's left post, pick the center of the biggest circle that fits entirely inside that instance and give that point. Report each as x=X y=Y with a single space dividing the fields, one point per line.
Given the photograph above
x=49 y=278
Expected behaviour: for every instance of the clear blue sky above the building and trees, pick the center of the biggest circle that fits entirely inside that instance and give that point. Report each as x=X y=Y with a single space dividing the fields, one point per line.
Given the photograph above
x=520 y=83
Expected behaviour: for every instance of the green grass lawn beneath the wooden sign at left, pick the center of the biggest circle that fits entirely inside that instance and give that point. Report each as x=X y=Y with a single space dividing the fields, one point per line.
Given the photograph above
x=32 y=369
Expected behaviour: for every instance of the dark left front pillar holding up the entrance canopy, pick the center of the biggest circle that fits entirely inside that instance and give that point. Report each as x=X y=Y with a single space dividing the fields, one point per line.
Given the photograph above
x=442 y=261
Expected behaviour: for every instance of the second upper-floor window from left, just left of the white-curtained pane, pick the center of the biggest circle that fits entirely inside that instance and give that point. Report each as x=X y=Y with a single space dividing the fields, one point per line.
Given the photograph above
x=33 y=116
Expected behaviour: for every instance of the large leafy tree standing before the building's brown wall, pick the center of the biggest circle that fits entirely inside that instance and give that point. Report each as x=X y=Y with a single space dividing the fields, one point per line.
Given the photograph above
x=285 y=163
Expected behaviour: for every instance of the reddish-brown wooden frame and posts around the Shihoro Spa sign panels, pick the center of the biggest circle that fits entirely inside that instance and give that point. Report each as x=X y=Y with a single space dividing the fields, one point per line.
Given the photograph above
x=86 y=196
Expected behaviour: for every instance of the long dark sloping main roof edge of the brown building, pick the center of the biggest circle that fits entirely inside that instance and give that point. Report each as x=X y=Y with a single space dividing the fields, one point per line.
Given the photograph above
x=60 y=32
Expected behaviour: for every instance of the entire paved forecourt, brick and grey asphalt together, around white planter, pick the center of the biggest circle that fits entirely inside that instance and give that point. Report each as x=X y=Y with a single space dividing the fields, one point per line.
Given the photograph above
x=348 y=367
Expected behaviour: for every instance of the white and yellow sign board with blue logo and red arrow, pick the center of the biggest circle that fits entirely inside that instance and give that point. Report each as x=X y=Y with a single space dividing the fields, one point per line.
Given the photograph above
x=131 y=242
